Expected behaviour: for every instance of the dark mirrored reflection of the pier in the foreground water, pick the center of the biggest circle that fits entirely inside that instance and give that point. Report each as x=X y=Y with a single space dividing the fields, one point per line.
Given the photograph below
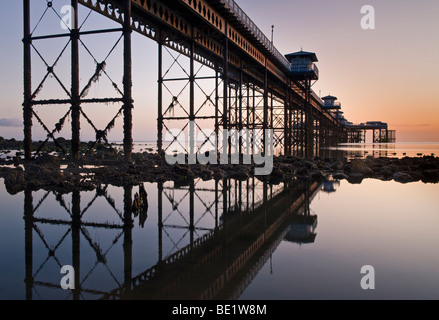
x=204 y=240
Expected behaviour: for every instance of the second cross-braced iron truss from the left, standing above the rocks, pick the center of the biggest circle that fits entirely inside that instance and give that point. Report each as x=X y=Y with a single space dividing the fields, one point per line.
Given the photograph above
x=187 y=100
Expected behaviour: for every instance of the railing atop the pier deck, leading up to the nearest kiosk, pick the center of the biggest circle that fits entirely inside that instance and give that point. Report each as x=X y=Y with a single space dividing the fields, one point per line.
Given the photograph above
x=249 y=24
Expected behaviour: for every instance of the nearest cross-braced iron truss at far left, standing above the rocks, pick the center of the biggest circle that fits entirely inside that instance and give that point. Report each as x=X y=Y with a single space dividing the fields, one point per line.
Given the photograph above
x=75 y=97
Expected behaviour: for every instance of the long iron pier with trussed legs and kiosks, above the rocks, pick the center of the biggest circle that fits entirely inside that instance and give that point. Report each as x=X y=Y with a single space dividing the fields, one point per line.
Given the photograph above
x=214 y=66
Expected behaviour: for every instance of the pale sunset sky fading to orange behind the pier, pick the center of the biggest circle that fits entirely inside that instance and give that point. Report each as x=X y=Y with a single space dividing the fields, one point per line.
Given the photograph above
x=389 y=74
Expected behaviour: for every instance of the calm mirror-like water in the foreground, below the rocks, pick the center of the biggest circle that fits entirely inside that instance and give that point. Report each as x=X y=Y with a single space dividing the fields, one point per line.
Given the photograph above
x=276 y=244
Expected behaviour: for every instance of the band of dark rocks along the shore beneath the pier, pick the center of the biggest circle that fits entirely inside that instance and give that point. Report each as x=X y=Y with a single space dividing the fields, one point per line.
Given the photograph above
x=106 y=167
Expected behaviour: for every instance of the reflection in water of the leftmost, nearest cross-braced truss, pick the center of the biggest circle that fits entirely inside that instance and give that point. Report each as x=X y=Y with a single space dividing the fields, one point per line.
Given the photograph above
x=78 y=229
